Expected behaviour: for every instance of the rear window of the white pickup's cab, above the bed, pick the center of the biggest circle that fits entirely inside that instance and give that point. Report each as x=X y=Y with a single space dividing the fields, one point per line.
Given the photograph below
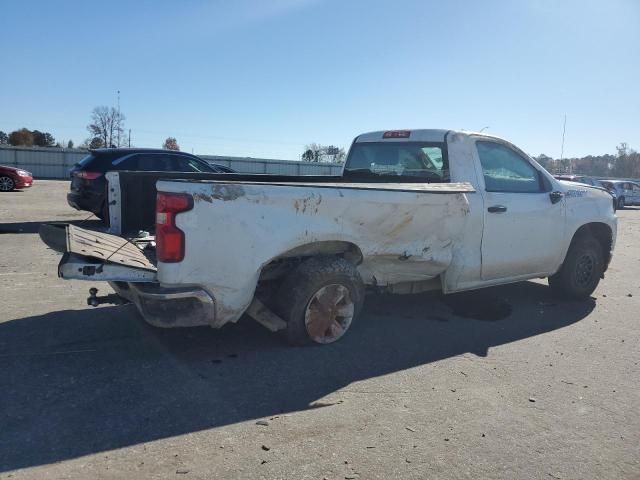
x=414 y=161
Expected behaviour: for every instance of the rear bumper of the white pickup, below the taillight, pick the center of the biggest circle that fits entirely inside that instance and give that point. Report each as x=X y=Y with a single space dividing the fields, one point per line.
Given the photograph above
x=169 y=307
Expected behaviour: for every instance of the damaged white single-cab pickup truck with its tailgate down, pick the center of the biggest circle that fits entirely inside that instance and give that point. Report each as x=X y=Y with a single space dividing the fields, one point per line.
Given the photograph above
x=414 y=210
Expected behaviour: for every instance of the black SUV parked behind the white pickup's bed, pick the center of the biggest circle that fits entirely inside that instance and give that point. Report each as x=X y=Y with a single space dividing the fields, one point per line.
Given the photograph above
x=88 y=184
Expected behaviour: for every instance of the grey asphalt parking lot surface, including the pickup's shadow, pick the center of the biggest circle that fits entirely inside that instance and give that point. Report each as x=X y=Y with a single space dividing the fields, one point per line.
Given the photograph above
x=502 y=383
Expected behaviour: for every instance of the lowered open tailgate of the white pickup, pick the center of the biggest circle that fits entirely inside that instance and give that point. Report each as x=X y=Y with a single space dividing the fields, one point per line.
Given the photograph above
x=92 y=255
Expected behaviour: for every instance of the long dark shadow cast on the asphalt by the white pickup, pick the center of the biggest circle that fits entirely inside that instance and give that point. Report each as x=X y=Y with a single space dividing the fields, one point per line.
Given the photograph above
x=84 y=381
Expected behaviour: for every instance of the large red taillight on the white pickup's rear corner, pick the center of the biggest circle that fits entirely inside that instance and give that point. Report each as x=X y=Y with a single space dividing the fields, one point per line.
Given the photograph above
x=169 y=238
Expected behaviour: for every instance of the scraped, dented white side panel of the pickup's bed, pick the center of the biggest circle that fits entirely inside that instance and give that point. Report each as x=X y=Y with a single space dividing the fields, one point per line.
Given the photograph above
x=267 y=221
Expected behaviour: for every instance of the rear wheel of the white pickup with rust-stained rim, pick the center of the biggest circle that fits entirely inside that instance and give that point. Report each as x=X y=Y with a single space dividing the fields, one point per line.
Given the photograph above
x=323 y=279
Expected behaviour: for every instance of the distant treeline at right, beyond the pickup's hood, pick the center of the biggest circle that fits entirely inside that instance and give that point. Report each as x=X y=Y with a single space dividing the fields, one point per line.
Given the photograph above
x=624 y=164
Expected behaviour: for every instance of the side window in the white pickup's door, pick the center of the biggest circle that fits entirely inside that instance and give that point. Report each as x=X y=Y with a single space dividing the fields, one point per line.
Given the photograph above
x=505 y=170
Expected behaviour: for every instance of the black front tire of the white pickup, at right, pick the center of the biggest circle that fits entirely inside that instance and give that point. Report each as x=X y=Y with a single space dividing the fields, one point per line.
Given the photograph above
x=581 y=271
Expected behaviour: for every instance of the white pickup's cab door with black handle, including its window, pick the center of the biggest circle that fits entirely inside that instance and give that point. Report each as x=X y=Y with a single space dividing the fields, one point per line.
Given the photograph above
x=523 y=224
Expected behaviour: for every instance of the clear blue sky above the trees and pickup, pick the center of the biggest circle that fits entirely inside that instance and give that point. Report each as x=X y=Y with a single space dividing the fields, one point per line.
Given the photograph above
x=263 y=78
